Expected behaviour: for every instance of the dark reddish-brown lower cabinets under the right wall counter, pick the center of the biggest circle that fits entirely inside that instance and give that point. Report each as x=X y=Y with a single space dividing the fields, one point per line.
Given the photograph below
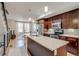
x=73 y=46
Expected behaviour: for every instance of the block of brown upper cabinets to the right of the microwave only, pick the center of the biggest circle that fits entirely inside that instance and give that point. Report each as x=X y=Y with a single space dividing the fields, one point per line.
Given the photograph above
x=70 y=19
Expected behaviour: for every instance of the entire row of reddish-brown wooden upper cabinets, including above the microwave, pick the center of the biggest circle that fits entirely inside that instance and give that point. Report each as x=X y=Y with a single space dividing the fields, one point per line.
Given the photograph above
x=69 y=20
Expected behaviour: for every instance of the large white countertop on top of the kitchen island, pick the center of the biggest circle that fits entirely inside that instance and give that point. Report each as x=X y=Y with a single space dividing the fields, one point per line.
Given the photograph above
x=50 y=43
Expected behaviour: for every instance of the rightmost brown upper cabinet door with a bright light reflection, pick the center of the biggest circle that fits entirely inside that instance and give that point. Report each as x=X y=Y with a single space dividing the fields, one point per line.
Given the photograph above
x=74 y=19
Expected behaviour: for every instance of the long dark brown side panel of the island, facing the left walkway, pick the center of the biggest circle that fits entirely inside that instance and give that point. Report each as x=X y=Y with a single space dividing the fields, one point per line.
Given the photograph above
x=36 y=49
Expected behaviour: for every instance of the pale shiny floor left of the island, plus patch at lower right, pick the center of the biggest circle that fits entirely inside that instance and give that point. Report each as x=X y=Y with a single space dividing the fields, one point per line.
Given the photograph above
x=18 y=47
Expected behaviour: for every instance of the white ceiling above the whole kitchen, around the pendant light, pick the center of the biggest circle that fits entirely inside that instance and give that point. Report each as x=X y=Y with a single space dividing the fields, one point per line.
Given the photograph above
x=21 y=11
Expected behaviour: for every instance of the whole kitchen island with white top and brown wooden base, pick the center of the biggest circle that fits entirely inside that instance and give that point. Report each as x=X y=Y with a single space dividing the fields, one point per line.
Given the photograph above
x=46 y=46
